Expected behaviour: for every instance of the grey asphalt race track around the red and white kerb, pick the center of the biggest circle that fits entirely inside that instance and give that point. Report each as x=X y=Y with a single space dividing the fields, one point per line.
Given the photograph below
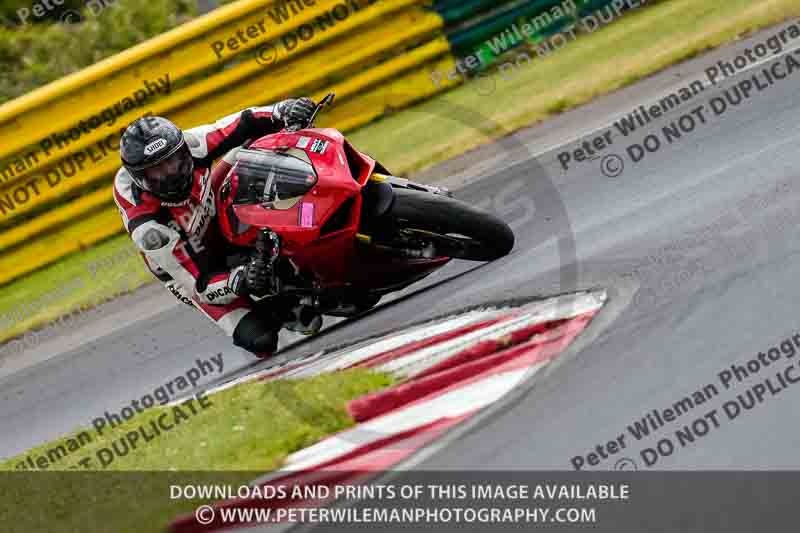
x=675 y=319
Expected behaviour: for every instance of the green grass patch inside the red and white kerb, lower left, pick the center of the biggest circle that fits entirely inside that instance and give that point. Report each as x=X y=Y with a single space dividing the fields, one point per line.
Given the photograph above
x=245 y=431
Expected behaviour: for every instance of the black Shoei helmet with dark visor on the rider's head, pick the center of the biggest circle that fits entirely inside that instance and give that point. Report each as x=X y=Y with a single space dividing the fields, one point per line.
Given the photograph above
x=155 y=154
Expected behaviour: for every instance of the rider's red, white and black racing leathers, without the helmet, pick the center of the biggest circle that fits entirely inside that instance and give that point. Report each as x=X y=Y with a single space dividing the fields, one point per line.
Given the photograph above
x=193 y=260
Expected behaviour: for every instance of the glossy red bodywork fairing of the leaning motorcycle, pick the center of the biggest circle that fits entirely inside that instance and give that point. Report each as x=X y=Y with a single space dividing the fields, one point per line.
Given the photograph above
x=322 y=240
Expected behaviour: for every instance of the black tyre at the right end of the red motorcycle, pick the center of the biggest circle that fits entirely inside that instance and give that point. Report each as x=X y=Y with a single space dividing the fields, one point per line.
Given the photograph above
x=466 y=231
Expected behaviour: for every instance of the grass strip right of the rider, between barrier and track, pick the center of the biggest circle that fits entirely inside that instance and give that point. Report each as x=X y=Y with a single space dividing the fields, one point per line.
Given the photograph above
x=639 y=44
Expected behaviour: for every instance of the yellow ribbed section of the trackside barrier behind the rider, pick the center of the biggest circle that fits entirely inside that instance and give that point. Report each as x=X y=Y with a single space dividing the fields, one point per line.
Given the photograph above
x=372 y=40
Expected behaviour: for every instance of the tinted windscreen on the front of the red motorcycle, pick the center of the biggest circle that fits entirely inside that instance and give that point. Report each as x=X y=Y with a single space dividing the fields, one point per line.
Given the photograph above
x=267 y=176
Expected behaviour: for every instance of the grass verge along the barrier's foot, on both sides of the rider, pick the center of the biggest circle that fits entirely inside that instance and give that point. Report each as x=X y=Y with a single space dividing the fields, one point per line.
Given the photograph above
x=641 y=43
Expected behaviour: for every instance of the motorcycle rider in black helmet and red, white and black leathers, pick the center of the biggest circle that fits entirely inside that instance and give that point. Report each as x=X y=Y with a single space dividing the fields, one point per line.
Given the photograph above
x=166 y=191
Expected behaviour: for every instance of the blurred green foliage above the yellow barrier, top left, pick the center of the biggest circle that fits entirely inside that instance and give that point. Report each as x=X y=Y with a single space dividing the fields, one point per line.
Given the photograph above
x=36 y=54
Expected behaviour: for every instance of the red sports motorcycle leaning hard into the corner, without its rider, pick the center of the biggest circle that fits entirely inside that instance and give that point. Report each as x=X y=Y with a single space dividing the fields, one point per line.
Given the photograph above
x=339 y=231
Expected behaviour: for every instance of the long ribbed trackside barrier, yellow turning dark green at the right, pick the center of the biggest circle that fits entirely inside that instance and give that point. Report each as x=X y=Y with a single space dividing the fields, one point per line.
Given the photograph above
x=60 y=142
